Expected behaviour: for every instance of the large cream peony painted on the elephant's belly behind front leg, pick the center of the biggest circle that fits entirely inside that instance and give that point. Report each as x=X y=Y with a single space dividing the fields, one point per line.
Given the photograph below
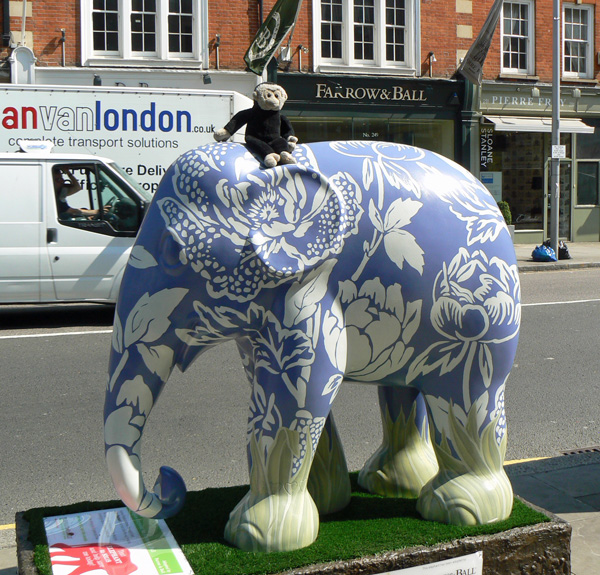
x=368 y=331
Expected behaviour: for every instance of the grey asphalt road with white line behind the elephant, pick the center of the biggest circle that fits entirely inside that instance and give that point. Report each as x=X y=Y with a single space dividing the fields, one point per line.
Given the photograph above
x=54 y=371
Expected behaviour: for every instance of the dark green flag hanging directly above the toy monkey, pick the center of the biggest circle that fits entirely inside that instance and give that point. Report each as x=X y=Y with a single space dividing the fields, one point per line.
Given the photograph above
x=271 y=34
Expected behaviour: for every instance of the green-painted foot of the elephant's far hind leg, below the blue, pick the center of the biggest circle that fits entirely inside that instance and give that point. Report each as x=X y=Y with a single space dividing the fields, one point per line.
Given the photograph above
x=404 y=462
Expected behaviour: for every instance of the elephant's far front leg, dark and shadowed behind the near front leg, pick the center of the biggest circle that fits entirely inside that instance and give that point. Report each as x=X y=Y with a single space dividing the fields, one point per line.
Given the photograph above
x=328 y=482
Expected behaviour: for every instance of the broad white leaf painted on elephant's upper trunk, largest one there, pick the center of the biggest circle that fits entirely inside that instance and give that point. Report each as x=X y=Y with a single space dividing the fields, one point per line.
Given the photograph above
x=149 y=318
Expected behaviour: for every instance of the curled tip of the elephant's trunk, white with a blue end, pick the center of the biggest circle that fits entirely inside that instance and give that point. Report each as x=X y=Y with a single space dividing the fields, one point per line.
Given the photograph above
x=167 y=497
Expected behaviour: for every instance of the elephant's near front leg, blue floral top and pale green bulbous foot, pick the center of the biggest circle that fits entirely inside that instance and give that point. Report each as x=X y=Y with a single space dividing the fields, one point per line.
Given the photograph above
x=288 y=413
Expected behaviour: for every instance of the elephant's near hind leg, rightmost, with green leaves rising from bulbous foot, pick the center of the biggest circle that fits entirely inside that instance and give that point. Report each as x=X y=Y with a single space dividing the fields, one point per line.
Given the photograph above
x=471 y=486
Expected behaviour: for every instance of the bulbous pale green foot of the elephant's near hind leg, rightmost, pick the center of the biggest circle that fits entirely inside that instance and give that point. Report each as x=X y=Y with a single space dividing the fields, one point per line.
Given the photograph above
x=467 y=499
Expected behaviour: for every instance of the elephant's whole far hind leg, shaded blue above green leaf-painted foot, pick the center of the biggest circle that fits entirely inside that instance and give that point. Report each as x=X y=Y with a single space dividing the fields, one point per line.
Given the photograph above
x=405 y=460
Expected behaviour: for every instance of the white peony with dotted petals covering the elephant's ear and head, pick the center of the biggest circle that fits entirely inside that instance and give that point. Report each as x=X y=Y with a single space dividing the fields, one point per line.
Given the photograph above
x=274 y=223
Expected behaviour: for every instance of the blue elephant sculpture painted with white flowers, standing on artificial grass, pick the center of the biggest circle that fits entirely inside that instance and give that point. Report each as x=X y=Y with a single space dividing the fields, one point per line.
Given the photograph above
x=368 y=262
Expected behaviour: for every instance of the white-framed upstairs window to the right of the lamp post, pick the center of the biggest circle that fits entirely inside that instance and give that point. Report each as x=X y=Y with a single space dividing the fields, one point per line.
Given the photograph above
x=578 y=40
